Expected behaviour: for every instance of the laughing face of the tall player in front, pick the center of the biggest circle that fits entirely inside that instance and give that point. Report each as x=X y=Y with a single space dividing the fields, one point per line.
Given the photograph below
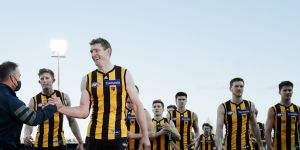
x=99 y=53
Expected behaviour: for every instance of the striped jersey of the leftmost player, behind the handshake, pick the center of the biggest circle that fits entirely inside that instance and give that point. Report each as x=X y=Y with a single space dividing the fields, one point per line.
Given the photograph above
x=50 y=133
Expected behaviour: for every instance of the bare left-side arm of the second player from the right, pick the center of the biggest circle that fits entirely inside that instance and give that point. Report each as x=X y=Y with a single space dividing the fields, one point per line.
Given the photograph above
x=219 y=130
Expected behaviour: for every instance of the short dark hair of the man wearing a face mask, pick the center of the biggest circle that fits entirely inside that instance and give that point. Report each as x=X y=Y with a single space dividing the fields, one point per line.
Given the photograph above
x=7 y=68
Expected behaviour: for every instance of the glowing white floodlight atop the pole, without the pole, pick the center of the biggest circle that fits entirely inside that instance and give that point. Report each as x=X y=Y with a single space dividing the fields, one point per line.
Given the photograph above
x=58 y=47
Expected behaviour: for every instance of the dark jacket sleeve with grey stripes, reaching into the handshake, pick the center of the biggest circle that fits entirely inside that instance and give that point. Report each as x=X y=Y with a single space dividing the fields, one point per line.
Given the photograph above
x=28 y=115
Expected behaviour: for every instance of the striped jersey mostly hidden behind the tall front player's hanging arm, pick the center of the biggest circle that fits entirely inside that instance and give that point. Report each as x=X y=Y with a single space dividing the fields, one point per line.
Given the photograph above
x=133 y=127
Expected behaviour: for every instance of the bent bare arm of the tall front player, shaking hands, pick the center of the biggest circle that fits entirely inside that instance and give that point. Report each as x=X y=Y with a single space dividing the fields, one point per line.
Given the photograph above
x=81 y=111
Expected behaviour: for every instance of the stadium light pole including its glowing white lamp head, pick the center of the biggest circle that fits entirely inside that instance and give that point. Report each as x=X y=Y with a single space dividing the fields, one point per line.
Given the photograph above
x=58 y=48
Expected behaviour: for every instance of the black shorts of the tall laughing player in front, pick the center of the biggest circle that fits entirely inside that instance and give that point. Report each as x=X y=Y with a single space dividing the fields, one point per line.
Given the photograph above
x=96 y=144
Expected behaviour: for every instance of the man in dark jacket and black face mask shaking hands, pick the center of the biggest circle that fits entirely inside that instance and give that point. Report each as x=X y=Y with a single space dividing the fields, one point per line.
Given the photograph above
x=13 y=111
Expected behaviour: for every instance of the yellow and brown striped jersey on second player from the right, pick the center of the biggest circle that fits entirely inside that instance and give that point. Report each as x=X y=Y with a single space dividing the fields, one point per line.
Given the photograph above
x=236 y=120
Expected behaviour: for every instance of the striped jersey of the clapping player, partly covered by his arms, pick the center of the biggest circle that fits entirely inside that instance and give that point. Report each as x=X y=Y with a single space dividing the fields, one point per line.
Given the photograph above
x=161 y=142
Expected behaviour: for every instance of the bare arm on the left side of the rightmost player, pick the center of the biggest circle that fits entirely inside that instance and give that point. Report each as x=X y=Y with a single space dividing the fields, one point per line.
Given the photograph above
x=269 y=126
